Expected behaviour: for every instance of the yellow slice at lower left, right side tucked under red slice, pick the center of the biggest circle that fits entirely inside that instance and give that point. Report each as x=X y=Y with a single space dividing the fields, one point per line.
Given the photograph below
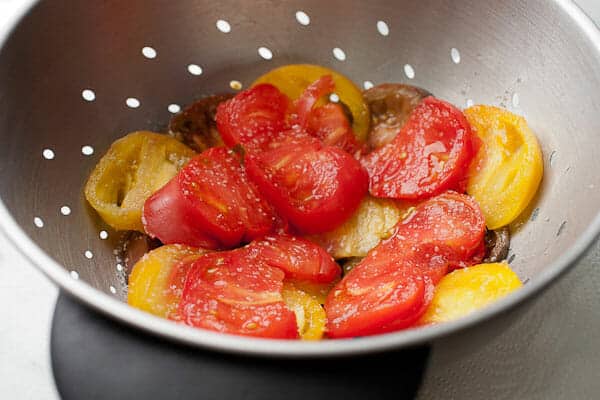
x=156 y=281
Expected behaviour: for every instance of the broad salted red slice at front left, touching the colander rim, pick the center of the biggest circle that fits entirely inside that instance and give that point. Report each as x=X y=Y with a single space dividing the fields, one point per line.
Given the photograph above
x=226 y=293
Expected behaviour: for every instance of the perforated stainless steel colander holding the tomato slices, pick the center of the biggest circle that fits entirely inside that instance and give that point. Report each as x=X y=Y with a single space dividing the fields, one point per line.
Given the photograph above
x=74 y=76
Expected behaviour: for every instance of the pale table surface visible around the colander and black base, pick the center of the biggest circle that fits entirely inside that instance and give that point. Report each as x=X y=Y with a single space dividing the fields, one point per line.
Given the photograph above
x=551 y=352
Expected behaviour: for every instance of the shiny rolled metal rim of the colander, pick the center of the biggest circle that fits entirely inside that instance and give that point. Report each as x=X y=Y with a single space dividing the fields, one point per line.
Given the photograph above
x=112 y=307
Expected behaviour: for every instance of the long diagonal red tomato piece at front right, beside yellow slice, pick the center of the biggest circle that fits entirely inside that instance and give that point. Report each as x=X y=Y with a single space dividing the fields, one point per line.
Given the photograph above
x=392 y=286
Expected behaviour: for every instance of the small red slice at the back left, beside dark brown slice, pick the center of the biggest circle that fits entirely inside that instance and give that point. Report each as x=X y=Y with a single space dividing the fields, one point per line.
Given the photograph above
x=253 y=117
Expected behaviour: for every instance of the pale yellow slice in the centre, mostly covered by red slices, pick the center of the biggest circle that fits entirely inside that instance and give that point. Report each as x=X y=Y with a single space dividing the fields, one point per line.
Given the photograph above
x=373 y=221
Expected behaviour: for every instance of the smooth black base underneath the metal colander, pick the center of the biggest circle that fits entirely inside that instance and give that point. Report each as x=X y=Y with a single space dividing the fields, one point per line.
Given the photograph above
x=97 y=358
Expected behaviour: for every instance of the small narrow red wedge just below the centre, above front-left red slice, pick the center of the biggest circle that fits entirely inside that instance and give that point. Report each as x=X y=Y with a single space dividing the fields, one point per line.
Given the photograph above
x=299 y=258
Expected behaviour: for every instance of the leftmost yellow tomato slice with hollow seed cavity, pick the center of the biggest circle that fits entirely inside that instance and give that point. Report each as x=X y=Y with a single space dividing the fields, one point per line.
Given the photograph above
x=134 y=167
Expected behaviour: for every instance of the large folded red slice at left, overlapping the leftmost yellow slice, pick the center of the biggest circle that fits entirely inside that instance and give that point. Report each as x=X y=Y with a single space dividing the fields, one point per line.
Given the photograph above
x=209 y=204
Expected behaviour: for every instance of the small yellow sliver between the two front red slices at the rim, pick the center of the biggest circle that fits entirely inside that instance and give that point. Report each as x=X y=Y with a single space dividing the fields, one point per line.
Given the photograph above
x=310 y=315
